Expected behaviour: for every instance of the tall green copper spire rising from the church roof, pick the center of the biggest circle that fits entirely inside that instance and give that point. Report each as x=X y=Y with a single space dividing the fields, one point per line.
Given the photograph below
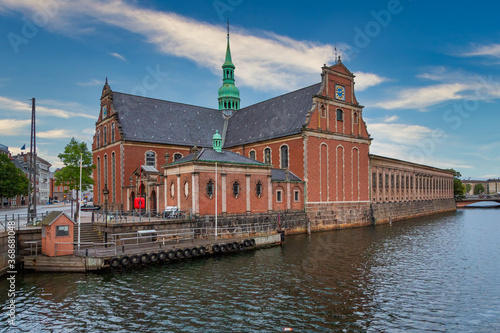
x=229 y=94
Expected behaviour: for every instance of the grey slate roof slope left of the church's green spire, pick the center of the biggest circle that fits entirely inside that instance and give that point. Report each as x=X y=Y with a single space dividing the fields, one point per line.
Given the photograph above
x=152 y=120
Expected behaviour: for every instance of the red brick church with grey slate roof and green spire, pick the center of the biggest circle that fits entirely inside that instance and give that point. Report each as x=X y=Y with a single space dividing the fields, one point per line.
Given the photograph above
x=307 y=149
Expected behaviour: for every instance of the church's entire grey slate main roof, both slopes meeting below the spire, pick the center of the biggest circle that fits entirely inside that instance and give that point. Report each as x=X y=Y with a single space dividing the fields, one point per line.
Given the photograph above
x=152 y=120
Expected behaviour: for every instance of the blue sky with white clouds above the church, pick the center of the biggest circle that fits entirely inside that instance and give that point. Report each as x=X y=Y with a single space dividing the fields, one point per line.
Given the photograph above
x=427 y=72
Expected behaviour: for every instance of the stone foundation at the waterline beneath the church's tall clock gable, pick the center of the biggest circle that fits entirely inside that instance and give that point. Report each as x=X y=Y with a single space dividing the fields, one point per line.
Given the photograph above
x=338 y=215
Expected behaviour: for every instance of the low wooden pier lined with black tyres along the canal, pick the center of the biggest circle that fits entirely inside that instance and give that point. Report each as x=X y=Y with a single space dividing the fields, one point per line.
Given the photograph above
x=159 y=249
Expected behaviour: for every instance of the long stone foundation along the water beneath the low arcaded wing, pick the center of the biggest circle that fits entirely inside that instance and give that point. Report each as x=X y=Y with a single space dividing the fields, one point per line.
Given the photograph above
x=397 y=211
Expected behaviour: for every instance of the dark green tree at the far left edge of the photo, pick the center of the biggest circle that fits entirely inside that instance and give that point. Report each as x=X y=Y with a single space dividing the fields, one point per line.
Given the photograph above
x=12 y=181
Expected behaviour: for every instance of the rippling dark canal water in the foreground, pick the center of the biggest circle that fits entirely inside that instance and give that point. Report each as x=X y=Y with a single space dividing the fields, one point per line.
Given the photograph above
x=435 y=274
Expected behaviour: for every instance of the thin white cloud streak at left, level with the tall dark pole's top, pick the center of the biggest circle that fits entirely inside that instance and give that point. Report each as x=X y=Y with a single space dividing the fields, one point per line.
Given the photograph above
x=9 y=104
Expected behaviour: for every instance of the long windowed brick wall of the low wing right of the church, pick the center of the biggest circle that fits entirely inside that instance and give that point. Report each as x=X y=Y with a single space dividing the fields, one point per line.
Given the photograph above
x=399 y=185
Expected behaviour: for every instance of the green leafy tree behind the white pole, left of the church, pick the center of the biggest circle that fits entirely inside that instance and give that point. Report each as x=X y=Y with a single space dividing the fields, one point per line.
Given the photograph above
x=70 y=174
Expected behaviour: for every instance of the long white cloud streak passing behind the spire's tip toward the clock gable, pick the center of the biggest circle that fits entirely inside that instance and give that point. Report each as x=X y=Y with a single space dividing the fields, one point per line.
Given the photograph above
x=268 y=61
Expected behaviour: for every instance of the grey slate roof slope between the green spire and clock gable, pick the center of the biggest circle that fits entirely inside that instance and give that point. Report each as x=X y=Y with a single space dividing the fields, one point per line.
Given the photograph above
x=277 y=117
